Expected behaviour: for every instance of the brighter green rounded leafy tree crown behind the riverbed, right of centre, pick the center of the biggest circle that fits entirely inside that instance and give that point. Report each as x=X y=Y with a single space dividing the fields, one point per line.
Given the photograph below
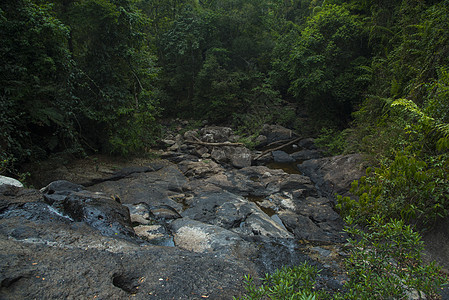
x=325 y=64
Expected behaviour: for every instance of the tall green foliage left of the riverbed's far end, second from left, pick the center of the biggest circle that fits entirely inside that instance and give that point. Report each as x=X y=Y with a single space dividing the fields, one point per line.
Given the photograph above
x=110 y=45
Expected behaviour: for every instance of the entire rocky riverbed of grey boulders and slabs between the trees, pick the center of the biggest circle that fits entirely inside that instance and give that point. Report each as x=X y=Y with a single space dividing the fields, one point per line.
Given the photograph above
x=188 y=225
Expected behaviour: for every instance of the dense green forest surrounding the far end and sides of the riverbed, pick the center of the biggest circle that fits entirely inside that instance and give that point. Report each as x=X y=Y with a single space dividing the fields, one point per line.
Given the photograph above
x=372 y=76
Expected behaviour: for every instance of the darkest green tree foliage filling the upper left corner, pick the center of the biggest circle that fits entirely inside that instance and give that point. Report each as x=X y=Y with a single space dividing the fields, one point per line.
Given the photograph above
x=36 y=112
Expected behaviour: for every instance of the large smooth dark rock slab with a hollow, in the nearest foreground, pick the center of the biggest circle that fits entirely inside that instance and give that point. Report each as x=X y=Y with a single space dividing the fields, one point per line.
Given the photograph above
x=72 y=267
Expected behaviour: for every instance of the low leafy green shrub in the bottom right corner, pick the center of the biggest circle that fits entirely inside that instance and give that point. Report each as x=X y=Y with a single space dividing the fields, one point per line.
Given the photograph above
x=385 y=263
